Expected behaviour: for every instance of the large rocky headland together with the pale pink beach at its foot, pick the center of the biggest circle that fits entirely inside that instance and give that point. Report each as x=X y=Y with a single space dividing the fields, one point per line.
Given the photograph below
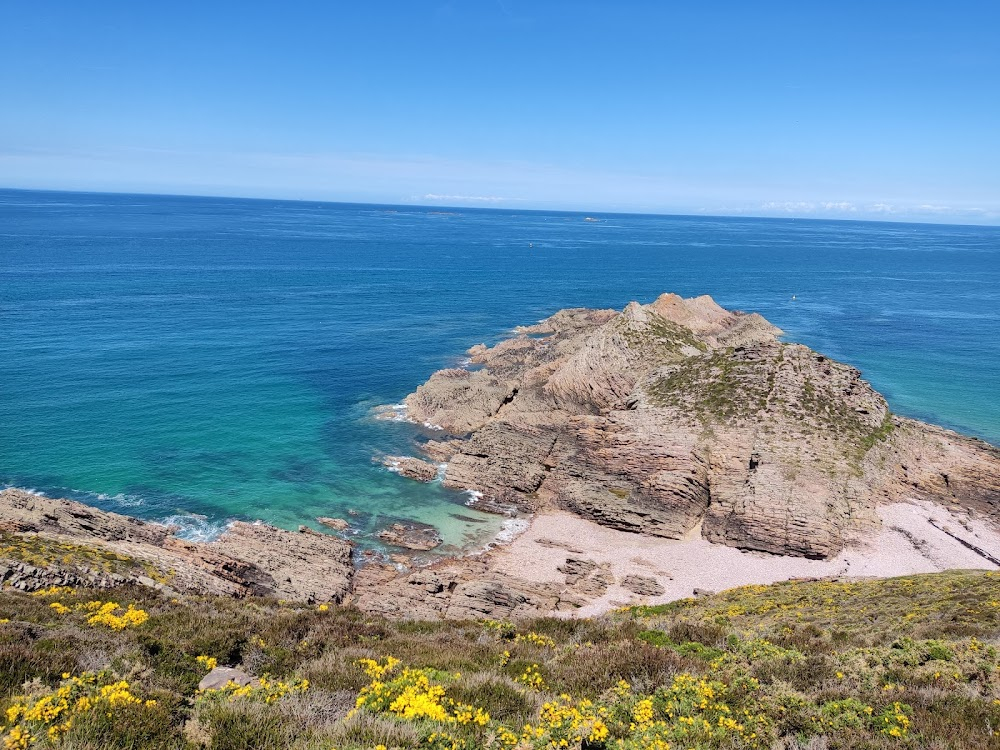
x=675 y=445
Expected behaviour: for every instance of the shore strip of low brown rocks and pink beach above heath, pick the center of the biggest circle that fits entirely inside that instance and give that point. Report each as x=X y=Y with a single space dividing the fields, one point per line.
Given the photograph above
x=559 y=564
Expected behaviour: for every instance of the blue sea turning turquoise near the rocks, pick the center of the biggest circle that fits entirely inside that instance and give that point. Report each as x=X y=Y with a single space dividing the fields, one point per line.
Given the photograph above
x=203 y=359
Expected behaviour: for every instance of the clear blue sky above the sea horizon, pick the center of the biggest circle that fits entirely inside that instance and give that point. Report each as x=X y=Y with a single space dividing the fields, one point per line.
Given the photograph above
x=884 y=110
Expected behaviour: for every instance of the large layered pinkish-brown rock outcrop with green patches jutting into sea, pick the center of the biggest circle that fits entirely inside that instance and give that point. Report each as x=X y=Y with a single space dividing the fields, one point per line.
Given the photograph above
x=678 y=413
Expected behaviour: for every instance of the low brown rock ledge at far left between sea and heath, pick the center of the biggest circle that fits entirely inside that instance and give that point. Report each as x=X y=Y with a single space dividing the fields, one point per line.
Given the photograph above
x=249 y=559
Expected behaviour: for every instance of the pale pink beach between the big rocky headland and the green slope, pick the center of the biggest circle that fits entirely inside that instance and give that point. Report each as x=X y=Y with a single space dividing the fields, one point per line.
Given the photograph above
x=908 y=543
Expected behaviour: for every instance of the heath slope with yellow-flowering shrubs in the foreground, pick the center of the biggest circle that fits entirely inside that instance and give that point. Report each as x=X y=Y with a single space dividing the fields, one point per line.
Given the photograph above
x=903 y=663
